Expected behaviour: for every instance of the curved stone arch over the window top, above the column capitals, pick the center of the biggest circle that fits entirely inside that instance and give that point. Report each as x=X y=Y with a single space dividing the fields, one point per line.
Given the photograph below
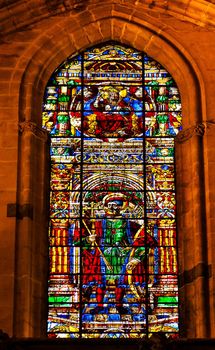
x=137 y=33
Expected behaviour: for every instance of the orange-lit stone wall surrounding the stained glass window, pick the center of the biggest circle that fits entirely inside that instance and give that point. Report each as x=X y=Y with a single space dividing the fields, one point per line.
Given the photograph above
x=36 y=38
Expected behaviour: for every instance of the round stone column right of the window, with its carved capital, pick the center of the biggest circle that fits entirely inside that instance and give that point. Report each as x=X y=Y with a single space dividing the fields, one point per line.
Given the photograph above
x=192 y=233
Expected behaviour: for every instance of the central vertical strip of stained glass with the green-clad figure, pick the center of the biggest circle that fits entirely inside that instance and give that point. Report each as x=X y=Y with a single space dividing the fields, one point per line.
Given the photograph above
x=113 y=196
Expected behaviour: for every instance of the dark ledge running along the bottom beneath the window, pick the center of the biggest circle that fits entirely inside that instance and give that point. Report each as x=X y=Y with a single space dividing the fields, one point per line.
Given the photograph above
x=156 y=342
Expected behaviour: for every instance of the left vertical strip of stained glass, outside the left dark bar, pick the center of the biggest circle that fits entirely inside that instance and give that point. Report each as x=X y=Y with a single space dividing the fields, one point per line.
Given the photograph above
x=64 y=255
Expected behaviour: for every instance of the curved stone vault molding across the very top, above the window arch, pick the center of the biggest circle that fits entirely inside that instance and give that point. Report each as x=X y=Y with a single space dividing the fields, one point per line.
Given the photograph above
x=31 y=12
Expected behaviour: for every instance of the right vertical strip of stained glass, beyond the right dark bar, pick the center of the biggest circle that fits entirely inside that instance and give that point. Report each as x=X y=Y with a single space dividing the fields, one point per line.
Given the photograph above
x=162 y=124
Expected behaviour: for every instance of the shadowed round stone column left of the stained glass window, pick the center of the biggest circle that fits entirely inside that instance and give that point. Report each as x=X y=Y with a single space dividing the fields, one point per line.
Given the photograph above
x=31 y=260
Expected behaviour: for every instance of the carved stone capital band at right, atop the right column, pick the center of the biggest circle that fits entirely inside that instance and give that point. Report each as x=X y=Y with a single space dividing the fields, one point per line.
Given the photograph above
x=196 y=130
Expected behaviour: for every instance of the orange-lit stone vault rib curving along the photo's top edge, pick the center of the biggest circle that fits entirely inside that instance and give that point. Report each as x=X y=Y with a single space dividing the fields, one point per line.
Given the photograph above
x=200 y=12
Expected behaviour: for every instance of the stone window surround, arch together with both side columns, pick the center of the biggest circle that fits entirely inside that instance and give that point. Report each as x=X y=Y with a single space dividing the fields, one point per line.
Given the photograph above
x=30 y=288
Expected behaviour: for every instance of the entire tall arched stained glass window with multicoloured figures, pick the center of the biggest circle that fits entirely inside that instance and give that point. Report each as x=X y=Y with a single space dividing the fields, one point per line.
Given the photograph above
x=112 y=113
